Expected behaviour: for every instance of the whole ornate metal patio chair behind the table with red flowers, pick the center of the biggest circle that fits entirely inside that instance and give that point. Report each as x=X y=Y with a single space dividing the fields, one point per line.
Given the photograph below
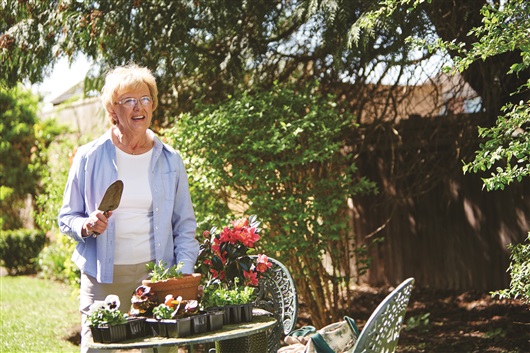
x=276 y=296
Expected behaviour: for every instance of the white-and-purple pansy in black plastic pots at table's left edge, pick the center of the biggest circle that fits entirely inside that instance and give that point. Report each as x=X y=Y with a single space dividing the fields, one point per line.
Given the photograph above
x=108 y=324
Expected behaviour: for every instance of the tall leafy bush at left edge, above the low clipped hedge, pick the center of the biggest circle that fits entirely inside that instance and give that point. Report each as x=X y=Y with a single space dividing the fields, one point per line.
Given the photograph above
x=24 y=143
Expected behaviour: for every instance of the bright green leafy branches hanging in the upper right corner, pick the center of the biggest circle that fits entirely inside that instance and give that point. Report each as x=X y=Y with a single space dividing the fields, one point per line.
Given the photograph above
x=489 y=45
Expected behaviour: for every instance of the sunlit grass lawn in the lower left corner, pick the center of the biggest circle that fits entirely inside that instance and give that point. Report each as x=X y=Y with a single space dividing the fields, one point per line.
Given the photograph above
x=36 y=315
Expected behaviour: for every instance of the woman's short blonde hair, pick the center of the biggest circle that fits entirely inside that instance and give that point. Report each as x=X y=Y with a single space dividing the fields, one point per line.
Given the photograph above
x=122 y=78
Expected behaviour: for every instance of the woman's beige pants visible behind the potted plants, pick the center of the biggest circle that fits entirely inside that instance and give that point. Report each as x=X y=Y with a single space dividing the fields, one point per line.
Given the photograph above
x=126 y=279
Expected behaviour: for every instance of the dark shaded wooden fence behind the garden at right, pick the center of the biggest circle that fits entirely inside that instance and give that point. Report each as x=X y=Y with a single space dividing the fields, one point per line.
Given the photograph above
x=437 y=224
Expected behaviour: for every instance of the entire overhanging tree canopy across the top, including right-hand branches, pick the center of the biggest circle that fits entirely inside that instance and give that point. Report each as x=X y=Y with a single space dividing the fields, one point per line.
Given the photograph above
x=361 y=51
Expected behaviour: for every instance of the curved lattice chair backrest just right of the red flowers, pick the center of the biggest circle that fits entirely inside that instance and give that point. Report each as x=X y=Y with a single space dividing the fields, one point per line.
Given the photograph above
x=277 y=294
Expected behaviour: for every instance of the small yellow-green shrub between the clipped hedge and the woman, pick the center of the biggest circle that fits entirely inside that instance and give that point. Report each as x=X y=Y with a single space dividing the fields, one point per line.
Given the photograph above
x=56 y=264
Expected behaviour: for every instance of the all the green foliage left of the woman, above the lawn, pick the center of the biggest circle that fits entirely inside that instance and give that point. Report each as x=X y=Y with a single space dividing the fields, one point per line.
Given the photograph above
x=36 y=156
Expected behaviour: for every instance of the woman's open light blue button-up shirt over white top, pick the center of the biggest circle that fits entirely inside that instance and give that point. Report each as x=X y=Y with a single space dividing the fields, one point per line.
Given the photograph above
x=174 y=225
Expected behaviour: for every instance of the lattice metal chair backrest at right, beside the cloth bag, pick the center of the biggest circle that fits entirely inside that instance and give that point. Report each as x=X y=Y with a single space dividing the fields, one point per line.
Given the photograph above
x=381 y=332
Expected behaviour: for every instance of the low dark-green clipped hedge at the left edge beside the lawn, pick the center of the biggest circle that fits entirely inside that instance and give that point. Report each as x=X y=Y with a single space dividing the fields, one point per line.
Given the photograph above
x=19 y=249
